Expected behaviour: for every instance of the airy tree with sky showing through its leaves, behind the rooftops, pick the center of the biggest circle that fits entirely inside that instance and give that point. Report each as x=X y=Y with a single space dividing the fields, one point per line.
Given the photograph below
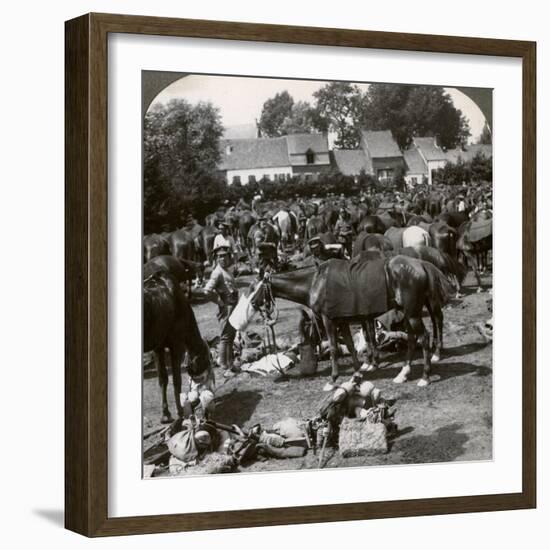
x=339 y=108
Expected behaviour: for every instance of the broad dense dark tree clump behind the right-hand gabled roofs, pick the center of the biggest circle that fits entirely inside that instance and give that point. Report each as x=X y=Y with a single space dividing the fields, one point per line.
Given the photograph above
x=415 y=111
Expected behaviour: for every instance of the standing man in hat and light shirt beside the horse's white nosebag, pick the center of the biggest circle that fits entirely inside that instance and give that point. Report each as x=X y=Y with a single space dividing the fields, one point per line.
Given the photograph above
x=222 y=289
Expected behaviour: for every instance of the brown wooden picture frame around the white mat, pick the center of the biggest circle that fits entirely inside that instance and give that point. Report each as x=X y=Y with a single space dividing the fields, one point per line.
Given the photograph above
x=86 y=280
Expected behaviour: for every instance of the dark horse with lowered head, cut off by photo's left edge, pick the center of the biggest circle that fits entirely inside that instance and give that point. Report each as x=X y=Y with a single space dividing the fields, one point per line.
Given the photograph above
x=169 y=322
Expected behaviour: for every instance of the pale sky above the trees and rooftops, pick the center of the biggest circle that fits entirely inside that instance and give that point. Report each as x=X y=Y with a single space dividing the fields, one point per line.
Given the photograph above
x=241 y=103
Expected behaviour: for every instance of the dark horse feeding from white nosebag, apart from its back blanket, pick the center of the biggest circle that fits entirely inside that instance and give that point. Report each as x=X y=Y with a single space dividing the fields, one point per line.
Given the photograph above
x=411 y=282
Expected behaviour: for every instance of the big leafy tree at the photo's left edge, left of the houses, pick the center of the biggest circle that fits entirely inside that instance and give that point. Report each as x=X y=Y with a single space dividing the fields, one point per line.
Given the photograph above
x=181 y=152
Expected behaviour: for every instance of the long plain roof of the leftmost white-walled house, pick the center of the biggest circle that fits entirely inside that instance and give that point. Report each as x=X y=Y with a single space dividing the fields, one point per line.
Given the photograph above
x=253 y=153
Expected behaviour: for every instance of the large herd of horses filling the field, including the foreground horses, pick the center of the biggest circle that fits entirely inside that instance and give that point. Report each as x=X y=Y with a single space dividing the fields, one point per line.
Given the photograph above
x=424 y=246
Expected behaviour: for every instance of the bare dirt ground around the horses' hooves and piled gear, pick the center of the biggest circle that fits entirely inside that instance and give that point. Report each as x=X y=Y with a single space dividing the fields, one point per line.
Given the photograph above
x=449 y=420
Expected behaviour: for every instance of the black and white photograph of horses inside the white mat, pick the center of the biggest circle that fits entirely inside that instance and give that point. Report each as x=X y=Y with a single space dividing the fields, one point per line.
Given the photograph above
x=317 y=274
